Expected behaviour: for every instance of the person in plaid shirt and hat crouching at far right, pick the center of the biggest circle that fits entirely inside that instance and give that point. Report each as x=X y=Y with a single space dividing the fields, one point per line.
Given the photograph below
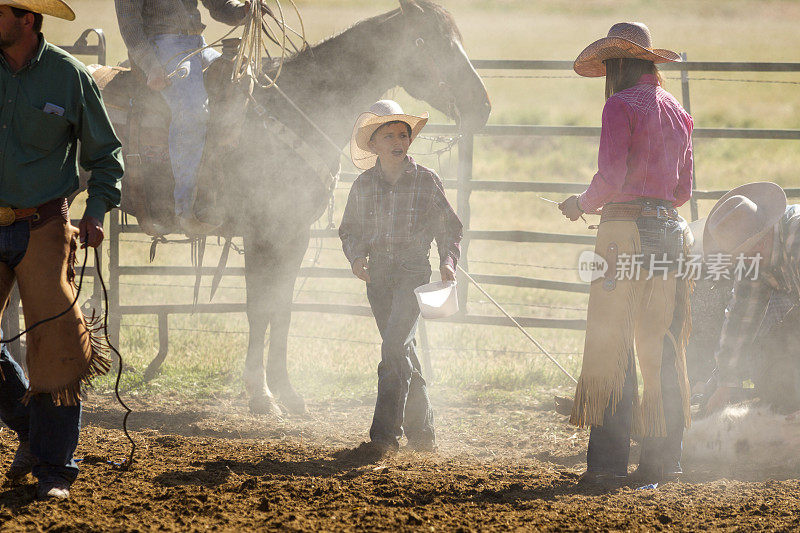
x=762 y=321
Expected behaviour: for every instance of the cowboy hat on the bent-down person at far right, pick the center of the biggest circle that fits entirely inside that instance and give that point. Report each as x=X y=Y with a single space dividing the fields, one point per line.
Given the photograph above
x=742 y=217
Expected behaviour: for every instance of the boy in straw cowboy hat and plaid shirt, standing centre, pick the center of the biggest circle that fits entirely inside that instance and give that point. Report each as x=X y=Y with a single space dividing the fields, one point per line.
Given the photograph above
x=394 y=210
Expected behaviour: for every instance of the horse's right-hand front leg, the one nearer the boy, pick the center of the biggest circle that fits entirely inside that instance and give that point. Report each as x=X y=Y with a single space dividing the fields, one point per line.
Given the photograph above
x=278 y=381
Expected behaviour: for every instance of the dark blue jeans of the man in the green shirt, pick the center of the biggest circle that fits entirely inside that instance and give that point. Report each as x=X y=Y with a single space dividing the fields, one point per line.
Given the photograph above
x=52 y=430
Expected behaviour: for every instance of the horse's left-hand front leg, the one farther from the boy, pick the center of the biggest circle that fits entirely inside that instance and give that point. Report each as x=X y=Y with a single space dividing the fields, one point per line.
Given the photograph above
x=257 y=272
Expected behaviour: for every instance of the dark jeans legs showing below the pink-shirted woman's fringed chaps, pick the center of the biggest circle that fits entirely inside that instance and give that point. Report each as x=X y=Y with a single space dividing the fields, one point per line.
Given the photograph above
x=609 y=444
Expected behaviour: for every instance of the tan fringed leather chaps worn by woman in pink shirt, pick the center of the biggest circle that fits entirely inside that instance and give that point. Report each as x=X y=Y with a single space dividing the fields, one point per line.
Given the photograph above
x=631 y=317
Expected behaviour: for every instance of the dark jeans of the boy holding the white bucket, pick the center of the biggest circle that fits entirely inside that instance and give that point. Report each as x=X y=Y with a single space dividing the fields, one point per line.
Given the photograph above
x=403 y=405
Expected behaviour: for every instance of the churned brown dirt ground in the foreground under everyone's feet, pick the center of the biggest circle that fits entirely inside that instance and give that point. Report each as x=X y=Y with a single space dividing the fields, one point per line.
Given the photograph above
x=210 y=465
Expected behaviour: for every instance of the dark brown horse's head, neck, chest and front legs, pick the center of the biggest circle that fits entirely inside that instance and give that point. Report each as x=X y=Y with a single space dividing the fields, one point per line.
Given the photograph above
x=269 y=193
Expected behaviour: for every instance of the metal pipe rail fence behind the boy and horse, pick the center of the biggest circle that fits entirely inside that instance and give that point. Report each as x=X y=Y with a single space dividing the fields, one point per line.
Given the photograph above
x=464 y=185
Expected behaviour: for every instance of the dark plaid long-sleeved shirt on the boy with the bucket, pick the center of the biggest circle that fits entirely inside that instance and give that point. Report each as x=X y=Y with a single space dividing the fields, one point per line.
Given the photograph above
x=400 y=219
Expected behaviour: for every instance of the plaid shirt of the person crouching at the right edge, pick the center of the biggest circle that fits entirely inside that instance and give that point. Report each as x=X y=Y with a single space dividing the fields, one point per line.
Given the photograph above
x=757 y=305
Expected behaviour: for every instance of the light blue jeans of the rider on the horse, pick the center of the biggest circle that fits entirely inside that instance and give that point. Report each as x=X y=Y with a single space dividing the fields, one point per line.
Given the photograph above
x=188 y=102
